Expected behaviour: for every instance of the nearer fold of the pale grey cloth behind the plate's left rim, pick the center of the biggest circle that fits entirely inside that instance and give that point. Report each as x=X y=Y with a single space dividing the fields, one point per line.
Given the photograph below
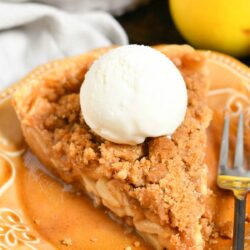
x=32 y=34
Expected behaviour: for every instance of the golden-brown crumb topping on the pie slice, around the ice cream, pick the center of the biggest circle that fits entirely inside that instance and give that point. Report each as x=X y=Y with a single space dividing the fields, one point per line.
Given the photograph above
x=165 y=175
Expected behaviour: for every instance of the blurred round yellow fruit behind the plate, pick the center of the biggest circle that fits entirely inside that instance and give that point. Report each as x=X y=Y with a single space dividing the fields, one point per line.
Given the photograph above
x=222 y=25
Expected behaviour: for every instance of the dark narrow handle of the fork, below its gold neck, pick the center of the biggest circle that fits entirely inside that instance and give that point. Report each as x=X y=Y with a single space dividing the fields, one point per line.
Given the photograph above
x=239 y=223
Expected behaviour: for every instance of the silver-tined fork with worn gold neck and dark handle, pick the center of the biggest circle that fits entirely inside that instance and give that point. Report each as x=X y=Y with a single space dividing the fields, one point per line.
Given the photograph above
x=236 y=179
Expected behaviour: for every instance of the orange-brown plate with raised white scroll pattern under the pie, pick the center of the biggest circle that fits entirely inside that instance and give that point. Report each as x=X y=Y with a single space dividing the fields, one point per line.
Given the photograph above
x=39 y=212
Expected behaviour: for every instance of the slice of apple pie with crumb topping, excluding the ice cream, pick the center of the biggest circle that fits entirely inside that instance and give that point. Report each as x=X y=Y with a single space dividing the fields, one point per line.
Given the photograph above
x=158 y=187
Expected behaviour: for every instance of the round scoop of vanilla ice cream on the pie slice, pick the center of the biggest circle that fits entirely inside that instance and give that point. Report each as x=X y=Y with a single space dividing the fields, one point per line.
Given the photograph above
x=133 y=92
